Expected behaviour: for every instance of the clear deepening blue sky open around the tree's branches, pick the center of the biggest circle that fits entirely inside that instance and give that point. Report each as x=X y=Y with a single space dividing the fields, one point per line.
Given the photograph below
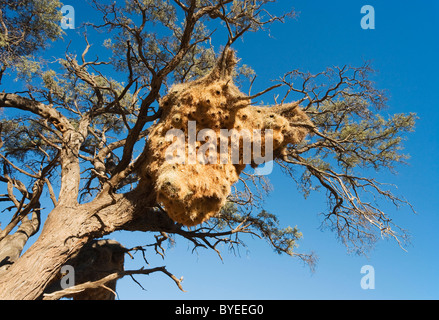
x=404 y=49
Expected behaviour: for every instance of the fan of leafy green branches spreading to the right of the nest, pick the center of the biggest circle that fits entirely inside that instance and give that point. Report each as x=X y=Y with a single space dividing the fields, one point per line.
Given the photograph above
x=351 y=141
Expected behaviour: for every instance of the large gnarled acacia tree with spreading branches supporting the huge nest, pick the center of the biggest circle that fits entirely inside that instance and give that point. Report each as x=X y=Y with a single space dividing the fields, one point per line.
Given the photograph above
x=70 y=159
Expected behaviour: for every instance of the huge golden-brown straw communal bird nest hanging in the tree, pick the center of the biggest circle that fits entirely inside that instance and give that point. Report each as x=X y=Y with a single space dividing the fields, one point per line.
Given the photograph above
x=208 y=133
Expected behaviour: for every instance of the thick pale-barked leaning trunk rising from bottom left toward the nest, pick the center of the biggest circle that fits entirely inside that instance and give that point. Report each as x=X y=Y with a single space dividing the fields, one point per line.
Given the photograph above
x=69 y=228
